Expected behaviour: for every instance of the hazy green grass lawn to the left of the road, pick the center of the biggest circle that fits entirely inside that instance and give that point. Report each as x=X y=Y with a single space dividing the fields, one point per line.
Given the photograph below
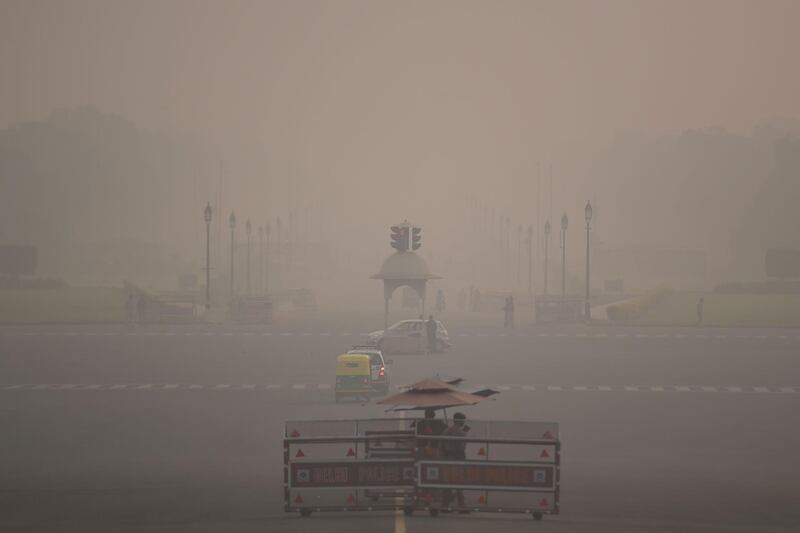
x=69 y=304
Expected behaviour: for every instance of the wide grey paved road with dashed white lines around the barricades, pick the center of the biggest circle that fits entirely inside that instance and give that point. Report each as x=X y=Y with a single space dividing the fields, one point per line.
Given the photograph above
x=178 y=428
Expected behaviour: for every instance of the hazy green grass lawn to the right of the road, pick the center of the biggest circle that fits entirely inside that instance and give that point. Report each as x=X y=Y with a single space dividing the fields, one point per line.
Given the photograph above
x=749 y=310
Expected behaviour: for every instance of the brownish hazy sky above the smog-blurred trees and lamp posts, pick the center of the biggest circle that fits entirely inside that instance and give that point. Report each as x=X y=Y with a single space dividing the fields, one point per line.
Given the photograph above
x=350 y=98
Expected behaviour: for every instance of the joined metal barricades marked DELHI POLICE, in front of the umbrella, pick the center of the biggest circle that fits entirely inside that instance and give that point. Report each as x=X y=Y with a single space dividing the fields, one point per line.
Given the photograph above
x=374 y=464
